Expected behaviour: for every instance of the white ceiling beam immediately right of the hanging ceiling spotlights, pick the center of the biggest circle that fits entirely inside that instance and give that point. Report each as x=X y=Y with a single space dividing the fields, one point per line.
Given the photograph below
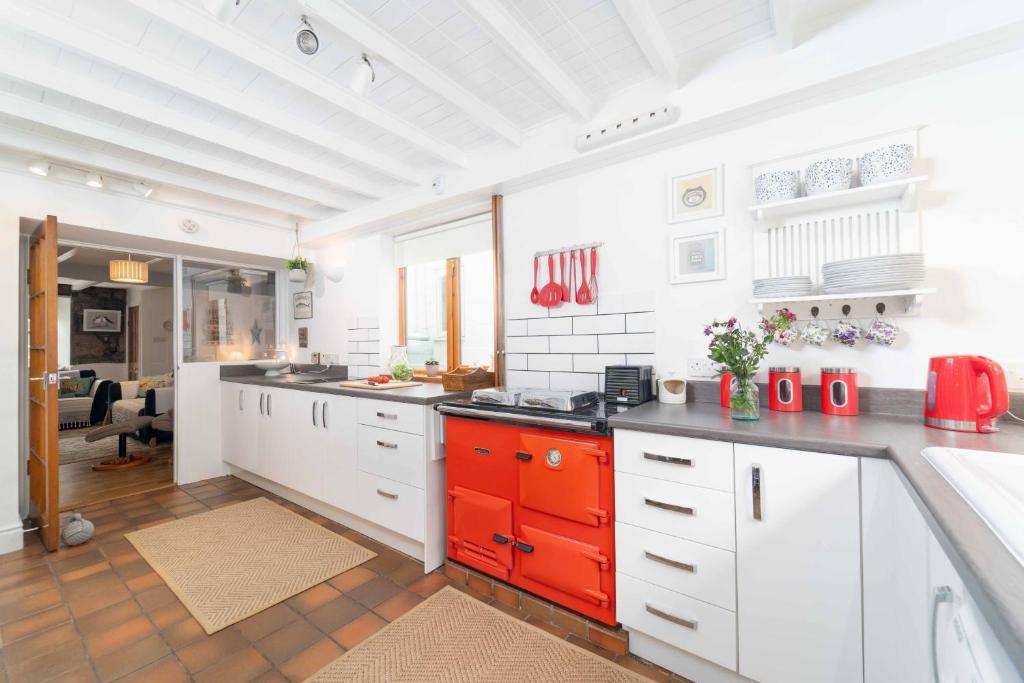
x=378 y=42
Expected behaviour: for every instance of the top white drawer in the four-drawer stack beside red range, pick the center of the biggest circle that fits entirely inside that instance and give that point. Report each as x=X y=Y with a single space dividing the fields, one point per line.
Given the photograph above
x=692 y=461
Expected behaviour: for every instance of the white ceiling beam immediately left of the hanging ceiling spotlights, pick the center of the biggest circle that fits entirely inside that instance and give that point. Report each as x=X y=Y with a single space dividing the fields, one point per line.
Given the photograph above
x=199 y=23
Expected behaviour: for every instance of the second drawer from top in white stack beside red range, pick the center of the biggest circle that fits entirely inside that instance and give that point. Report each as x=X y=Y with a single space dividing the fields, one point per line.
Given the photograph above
x=688 y=513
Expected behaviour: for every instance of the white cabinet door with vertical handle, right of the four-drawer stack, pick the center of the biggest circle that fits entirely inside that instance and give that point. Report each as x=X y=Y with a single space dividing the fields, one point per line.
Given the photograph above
x=798 y=567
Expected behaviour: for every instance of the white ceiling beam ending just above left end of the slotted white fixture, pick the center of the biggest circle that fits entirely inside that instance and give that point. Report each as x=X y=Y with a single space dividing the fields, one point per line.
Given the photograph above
x=514 y=39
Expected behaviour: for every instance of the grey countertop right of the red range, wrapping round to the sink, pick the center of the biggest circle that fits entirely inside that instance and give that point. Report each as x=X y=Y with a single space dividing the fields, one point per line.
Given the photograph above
x=994 y=576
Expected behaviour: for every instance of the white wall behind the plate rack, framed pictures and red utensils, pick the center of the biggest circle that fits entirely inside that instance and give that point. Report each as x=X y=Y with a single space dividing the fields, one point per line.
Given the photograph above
x=973 y=224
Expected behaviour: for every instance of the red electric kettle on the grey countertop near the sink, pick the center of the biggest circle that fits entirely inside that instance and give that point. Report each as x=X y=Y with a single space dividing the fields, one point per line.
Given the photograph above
x=965 y=394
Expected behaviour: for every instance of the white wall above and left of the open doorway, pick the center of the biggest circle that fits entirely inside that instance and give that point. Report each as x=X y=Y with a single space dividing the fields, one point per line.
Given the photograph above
x=24 y=196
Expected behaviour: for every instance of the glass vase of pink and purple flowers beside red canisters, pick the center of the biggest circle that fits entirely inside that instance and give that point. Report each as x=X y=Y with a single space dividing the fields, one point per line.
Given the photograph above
x=740 y=351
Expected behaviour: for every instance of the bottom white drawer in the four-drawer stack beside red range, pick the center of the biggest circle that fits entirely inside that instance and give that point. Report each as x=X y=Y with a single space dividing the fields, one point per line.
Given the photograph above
x=691 y=625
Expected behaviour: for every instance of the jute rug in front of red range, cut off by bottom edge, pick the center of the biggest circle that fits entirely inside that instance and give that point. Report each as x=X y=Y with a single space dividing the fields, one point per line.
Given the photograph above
x=451 y=637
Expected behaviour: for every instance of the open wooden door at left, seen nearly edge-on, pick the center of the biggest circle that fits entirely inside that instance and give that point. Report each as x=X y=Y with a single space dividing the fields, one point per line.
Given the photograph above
x=44 y=388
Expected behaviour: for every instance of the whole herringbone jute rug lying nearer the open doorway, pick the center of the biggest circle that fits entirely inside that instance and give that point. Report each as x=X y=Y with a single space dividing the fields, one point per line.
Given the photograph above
x=232 y=563
